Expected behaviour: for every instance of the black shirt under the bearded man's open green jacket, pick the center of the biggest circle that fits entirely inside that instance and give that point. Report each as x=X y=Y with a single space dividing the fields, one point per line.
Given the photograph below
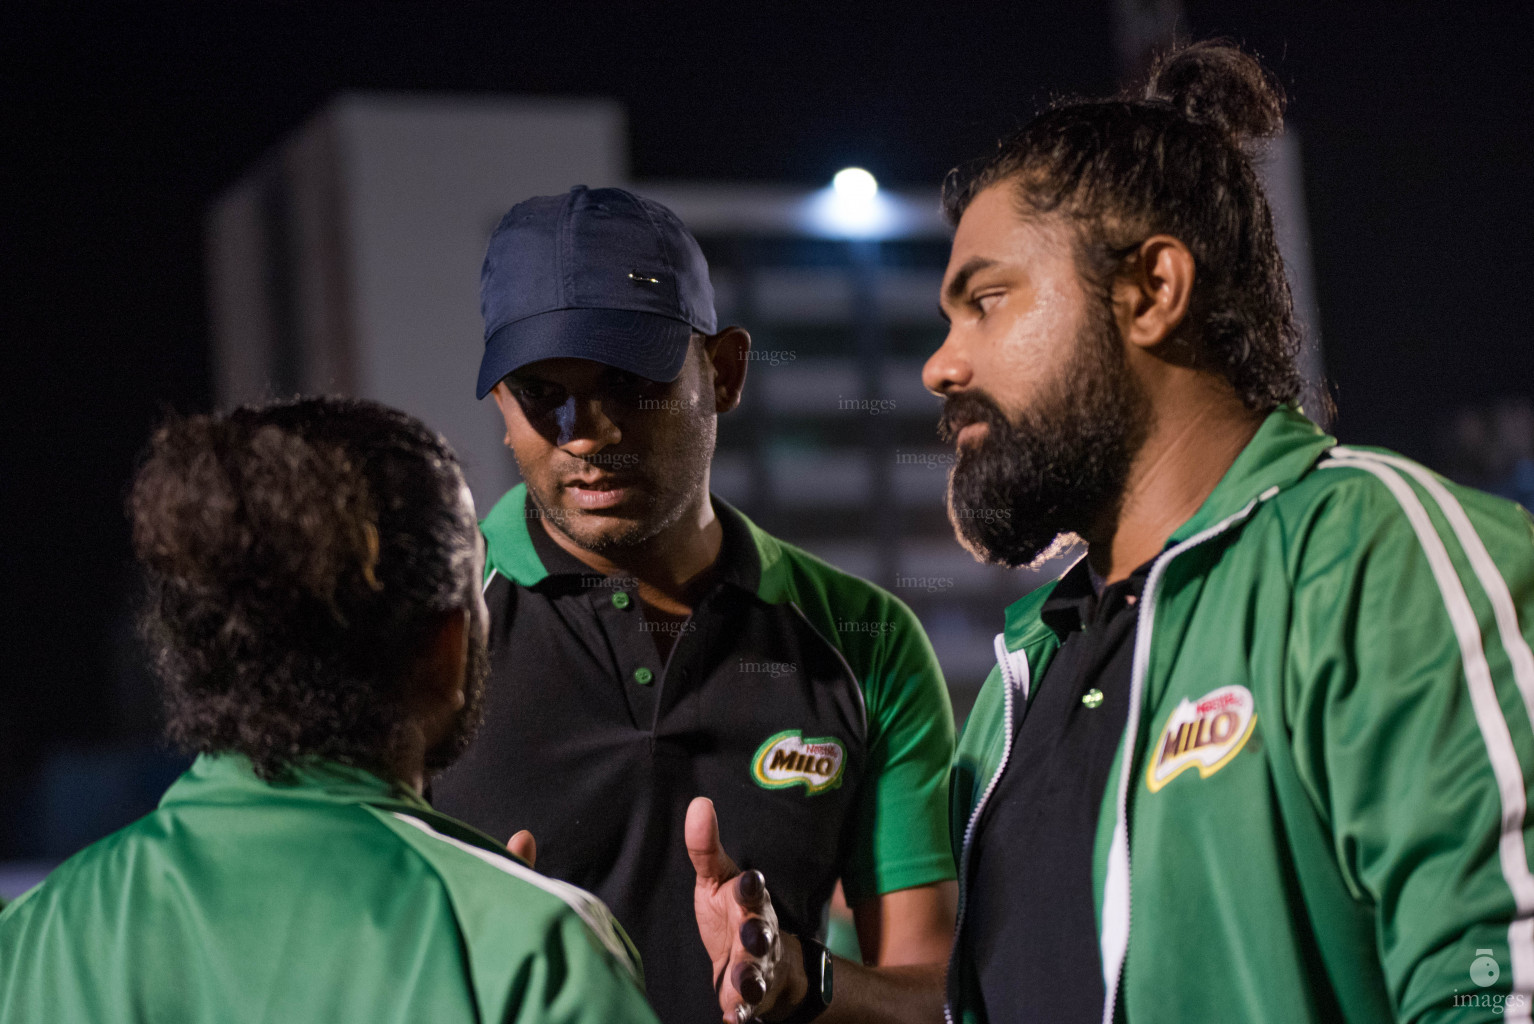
x=1032 y=922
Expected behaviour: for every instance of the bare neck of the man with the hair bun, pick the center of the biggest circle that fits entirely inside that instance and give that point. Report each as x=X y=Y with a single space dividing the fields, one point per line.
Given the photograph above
x=1194 y=439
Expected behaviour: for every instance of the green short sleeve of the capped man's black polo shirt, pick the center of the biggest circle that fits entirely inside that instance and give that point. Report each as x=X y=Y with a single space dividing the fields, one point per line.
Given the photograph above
x=903 y=815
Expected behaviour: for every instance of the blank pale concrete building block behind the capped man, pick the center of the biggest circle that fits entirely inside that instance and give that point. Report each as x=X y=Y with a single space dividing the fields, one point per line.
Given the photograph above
x=392 y=200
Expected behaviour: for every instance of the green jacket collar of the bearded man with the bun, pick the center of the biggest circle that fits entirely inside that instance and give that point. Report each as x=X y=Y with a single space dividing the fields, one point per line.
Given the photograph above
x=1283 y=450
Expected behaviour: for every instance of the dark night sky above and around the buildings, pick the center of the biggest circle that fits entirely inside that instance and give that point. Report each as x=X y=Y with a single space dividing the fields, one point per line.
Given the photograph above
x=127 y=119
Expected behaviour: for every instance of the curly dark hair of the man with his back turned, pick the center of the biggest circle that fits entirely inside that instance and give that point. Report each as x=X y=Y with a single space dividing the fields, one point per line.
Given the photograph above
x=297 y=556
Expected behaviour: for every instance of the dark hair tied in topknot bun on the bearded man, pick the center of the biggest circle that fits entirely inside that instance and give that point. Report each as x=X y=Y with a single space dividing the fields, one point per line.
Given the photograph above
x=1170 y=160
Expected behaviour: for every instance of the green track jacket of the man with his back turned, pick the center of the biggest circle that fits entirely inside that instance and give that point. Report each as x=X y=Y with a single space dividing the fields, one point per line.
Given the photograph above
x=331 y=899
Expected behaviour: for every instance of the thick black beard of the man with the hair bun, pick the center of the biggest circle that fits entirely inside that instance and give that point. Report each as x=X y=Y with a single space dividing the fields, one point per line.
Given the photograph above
x=1061 y=470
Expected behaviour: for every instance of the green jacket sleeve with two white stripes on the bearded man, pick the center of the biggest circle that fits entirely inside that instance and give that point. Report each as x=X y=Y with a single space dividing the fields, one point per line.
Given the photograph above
x=1412 y=732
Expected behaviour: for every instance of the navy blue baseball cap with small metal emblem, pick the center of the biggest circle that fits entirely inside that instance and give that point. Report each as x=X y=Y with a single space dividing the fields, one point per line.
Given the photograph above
x=596 y=274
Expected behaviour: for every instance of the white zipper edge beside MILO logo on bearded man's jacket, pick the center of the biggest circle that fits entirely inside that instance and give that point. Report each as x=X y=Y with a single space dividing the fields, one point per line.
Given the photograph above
x=1119 y=850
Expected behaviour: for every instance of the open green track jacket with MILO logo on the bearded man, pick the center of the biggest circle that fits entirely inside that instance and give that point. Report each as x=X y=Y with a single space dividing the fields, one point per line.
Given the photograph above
x=1318 y=812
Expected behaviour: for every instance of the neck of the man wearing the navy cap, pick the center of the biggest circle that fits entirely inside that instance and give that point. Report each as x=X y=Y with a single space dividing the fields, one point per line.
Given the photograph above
x=670 y=565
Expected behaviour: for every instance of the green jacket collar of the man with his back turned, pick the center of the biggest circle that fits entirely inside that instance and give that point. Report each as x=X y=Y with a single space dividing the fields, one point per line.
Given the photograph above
x=229 y=778
